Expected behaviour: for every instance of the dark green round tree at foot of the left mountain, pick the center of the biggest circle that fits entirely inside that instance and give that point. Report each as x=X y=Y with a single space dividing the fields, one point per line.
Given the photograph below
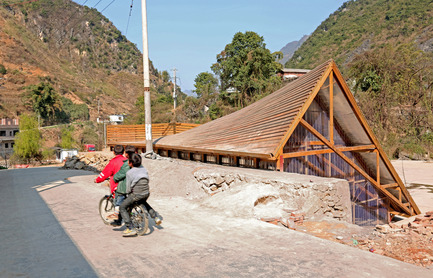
x=43 y=99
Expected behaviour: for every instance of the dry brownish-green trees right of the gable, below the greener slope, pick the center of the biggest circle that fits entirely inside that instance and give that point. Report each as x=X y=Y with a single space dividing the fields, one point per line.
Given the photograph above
x=394 y=88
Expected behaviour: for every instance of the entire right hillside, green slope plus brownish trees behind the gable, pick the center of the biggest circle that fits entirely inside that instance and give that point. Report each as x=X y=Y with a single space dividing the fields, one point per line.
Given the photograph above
x=385 y=50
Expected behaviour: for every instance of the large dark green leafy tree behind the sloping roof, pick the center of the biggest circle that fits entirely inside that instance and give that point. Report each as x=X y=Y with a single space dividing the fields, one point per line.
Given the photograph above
x=247 y=65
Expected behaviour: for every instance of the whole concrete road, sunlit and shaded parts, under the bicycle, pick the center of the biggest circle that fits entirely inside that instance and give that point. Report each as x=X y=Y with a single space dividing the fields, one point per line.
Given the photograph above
x=51 y=228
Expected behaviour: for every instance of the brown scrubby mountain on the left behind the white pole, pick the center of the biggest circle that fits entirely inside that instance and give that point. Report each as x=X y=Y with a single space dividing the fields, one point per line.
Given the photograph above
x=74 y=48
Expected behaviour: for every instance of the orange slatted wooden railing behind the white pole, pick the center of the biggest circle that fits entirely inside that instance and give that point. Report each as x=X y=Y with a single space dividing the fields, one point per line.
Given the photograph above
x=136 y=133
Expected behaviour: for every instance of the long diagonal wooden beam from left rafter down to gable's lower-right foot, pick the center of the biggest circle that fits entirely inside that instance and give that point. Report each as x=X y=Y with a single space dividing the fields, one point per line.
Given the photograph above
x=352 y=164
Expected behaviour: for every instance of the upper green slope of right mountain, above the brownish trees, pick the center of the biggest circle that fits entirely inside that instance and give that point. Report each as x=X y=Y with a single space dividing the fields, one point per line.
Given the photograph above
x=363 y=25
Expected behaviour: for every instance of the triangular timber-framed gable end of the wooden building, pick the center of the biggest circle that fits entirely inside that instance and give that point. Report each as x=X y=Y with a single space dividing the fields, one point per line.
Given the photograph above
x=398 y=199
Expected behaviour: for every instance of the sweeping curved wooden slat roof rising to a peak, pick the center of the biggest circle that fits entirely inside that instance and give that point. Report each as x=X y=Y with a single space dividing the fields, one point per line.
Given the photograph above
x=256 y=130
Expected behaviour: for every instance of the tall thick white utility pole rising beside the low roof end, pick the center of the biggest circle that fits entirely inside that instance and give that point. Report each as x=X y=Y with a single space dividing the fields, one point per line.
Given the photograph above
x=147 y=109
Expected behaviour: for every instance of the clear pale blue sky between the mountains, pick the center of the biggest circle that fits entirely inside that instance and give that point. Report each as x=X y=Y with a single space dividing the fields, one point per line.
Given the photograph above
x=189 y=34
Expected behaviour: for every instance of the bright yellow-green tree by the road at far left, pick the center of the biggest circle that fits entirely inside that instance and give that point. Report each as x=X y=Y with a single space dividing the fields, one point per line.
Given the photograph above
x=28 y=140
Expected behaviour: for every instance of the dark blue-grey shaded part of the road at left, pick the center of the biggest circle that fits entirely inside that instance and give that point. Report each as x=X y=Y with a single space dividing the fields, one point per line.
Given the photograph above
x=33 y=243
